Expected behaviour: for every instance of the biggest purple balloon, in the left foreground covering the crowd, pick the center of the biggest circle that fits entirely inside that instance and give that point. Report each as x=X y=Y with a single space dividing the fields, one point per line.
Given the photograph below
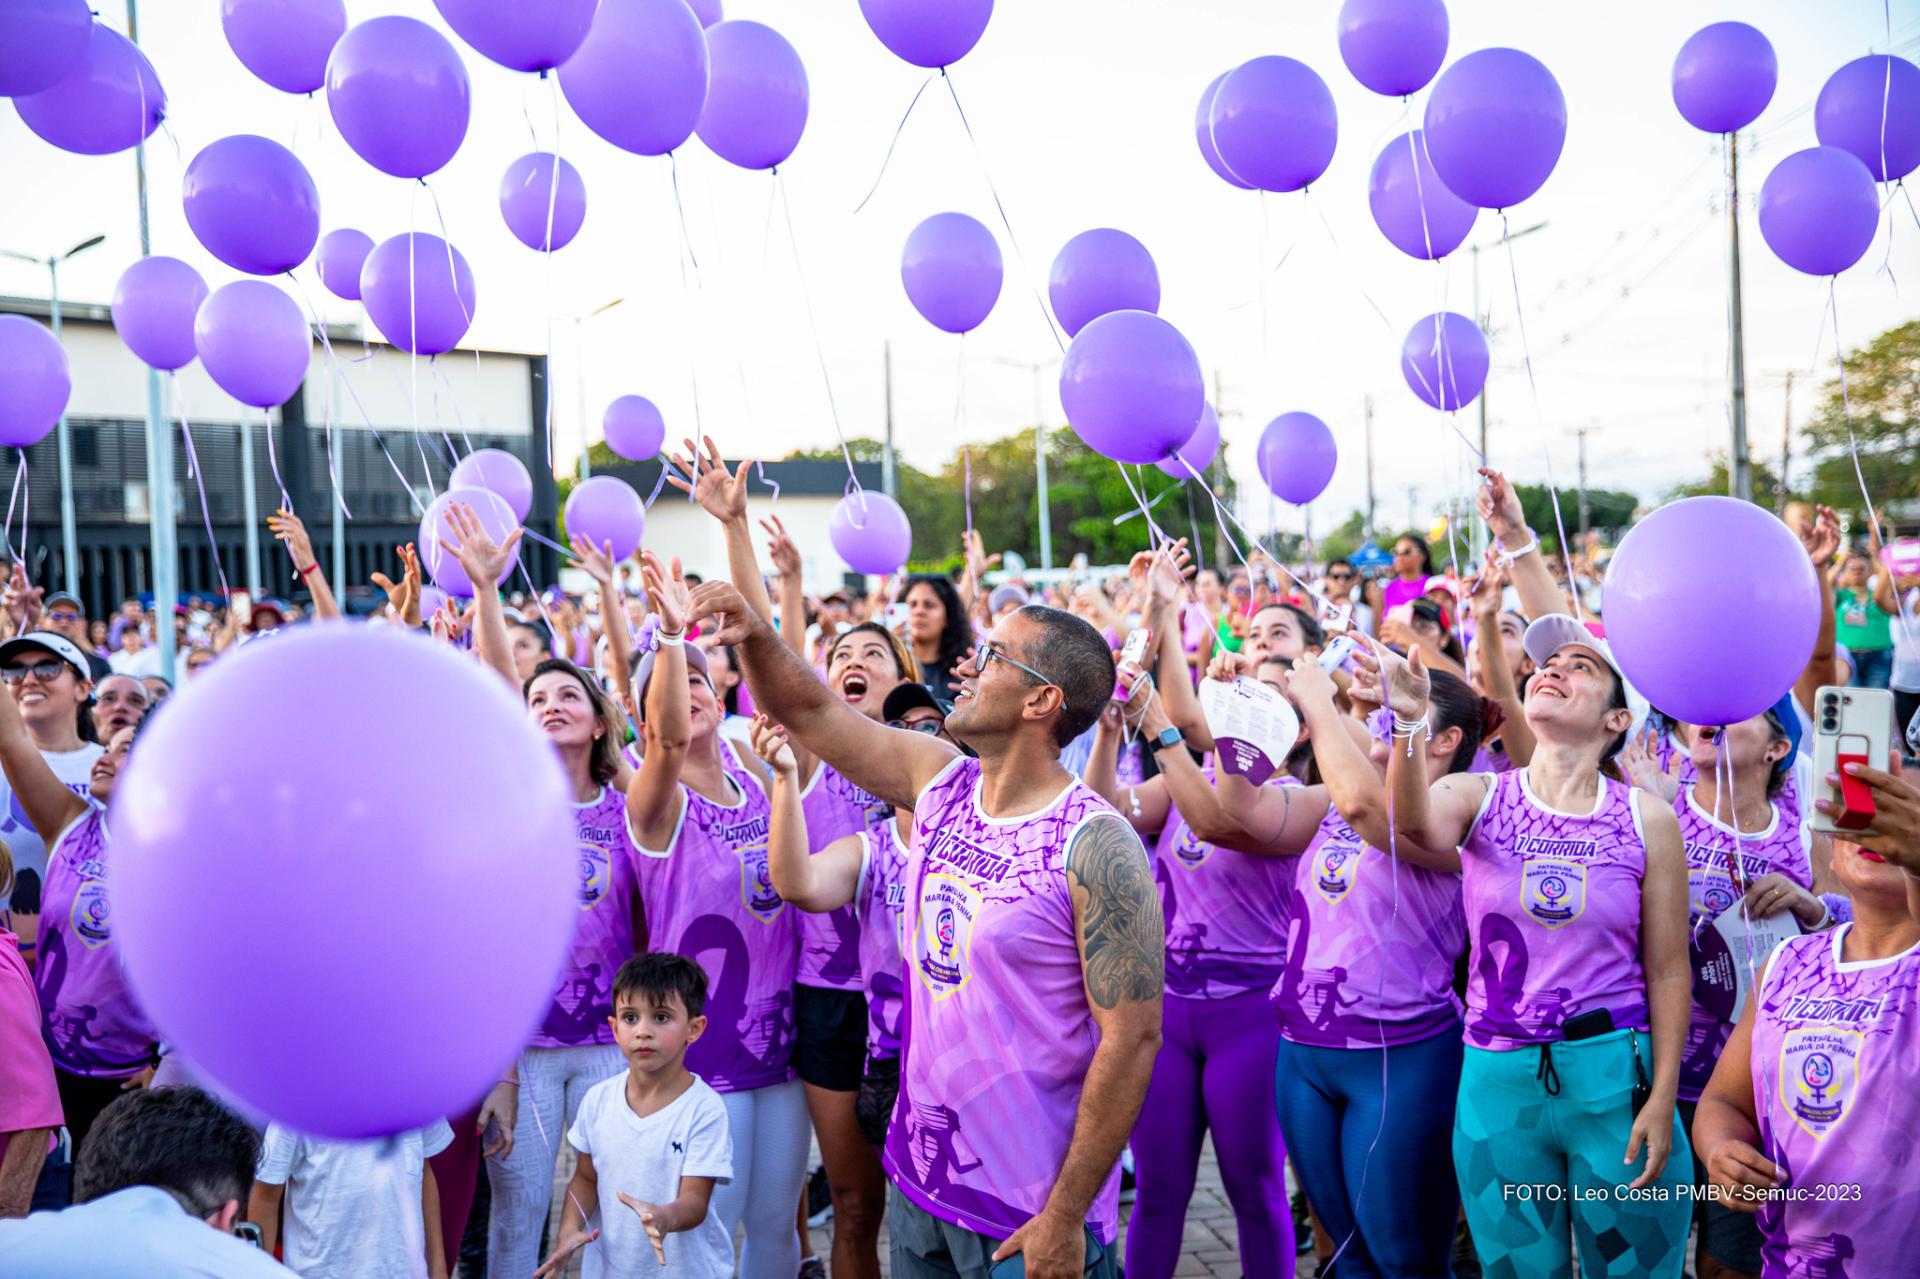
x=429 y=1011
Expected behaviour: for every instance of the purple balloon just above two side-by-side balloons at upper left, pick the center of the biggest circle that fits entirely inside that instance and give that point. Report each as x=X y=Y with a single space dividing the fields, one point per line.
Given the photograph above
x=252 y=205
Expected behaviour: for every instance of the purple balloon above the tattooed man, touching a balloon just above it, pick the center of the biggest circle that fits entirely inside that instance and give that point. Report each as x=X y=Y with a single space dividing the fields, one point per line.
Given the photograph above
x=1132 y=387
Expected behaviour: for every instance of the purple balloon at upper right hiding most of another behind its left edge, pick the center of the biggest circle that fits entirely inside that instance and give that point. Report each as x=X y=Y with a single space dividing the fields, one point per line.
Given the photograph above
x=1274 y=124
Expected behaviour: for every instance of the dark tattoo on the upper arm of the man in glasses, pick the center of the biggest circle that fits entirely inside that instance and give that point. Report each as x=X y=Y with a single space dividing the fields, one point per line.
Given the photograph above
x=1122 y=927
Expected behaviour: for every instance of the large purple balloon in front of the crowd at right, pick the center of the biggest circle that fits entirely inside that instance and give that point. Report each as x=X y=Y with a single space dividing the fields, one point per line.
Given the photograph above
x=1671 y=589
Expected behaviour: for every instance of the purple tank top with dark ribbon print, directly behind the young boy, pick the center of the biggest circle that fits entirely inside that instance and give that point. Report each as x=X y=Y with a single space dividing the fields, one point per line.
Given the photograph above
x=711 y=898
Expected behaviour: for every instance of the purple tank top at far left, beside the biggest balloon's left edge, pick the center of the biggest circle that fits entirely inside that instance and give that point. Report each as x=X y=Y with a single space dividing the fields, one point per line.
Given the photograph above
x=91 y=1021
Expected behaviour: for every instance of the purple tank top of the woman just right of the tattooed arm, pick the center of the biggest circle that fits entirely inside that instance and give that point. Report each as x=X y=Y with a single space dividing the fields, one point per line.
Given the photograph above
x=1226 y=913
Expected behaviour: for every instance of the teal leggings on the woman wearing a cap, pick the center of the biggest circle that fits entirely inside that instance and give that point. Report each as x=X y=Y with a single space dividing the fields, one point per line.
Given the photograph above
x=1539 y=1144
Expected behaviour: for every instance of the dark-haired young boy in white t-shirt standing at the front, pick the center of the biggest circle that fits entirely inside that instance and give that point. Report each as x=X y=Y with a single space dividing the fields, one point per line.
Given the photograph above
x=658 y=1136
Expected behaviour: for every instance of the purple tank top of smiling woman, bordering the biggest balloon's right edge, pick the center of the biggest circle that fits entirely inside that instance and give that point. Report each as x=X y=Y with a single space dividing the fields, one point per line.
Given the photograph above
x=604 y=930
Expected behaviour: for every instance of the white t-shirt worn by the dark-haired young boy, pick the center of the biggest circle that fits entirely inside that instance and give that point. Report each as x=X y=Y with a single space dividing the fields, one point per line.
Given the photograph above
x=648 y=1157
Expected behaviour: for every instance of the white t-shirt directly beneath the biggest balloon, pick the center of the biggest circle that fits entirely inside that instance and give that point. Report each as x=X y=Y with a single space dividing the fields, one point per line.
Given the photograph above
x=348 y=1215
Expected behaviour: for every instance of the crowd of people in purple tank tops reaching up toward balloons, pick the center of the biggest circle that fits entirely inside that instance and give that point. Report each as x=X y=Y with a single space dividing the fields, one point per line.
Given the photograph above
x=961 y=886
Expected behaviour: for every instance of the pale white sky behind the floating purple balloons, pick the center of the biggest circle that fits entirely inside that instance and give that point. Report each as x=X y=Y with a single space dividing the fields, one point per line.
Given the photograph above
x=1082 y=116
